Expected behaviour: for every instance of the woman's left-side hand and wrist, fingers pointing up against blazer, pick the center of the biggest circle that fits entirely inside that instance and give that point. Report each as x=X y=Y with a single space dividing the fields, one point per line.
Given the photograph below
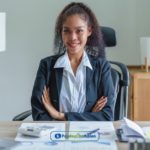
x=49 y=107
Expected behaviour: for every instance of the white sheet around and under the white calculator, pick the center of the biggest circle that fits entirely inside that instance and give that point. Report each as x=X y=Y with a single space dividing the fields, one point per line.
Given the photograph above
x=45 y=137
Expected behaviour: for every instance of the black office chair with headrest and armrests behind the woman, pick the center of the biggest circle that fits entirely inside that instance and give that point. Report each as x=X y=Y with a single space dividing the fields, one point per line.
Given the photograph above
x=120 y=77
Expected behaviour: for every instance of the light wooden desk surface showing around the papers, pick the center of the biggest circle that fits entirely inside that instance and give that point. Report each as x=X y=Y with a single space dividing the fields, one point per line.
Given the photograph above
x=9 y=130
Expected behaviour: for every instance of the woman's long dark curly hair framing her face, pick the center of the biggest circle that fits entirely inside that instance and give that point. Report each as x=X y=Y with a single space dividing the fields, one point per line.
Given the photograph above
x=95 y=44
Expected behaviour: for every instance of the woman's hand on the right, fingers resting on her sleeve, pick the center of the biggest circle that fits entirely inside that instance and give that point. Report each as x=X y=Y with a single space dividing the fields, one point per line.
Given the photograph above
x=100 y=104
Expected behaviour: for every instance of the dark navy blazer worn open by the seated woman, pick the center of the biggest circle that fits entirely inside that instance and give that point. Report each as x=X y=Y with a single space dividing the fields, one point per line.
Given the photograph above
x=98 y=83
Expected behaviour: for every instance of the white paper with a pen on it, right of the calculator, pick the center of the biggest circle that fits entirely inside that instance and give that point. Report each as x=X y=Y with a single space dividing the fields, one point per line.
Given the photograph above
x=105 y=128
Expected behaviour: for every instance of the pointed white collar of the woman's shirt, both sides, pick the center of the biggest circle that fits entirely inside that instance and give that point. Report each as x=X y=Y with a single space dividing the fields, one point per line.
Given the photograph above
x=63 y=61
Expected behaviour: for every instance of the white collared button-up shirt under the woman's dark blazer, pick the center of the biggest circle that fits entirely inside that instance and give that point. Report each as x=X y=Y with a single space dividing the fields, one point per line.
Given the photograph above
x=73 y=90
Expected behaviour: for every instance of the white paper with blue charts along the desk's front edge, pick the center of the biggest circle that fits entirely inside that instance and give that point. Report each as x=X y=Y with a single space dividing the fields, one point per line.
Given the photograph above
x=103 y=144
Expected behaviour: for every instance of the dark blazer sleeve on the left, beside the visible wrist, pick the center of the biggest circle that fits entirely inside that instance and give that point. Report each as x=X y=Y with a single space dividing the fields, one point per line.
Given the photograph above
x=38 y=110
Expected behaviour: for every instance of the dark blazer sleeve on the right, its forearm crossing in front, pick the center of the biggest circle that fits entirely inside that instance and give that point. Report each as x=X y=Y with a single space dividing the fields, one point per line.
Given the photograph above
x=106 y=114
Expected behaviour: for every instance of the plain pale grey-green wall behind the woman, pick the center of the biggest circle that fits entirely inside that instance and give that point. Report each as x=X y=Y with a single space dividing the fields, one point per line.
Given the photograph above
x=29 y=37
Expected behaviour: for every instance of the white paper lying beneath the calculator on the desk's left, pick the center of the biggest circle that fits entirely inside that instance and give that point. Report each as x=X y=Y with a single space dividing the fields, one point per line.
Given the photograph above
x=48 y=127
